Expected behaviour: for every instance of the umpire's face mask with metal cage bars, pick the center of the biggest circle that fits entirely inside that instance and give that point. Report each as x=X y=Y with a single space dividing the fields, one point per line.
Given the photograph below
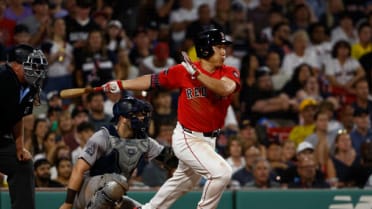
x=35 y=67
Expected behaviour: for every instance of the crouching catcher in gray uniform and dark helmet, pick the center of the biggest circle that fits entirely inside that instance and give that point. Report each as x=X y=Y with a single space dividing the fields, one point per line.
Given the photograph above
x=100 y=177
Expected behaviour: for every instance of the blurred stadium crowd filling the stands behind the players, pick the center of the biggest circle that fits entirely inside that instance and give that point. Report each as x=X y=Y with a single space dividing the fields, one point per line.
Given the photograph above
x=301 y=120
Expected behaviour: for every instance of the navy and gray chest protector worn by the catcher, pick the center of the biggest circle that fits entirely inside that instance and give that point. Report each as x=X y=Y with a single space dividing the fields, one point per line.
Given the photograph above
x=122 y=158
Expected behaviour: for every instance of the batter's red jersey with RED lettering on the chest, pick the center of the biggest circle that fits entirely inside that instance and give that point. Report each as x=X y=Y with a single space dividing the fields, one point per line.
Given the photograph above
x=199 y=109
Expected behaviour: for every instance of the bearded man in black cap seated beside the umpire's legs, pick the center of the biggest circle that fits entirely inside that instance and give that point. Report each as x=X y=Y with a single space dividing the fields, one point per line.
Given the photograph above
x=42 y=174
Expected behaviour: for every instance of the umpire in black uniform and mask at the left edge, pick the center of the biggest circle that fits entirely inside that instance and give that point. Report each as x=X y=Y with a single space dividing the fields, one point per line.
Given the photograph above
x=20 y=80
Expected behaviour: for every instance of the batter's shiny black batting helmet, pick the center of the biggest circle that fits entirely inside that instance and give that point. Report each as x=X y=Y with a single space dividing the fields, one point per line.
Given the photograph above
x=206 y=39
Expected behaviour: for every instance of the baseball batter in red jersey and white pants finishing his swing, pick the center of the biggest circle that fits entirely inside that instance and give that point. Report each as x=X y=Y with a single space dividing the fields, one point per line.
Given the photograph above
x=206 y=89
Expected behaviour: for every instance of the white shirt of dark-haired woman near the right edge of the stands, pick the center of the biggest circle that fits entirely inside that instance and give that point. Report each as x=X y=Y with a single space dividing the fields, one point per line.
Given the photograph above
x=342 y=73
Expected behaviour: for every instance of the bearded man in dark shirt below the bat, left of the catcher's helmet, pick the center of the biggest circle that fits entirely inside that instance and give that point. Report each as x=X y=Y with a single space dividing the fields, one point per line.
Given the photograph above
x=97 y=115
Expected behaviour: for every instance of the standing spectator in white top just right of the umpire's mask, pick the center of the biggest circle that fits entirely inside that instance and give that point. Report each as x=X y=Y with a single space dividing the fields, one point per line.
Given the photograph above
x=60 y=58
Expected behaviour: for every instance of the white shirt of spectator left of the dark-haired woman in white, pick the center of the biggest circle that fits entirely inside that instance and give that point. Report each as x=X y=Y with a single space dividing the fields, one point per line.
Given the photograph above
x=292 y=60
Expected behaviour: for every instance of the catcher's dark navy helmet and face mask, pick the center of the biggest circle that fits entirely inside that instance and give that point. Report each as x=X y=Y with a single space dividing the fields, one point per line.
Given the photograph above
x=130 y=107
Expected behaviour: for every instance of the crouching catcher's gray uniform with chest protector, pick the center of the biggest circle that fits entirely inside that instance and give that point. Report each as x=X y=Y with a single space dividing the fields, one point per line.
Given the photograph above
x=112 y=159
